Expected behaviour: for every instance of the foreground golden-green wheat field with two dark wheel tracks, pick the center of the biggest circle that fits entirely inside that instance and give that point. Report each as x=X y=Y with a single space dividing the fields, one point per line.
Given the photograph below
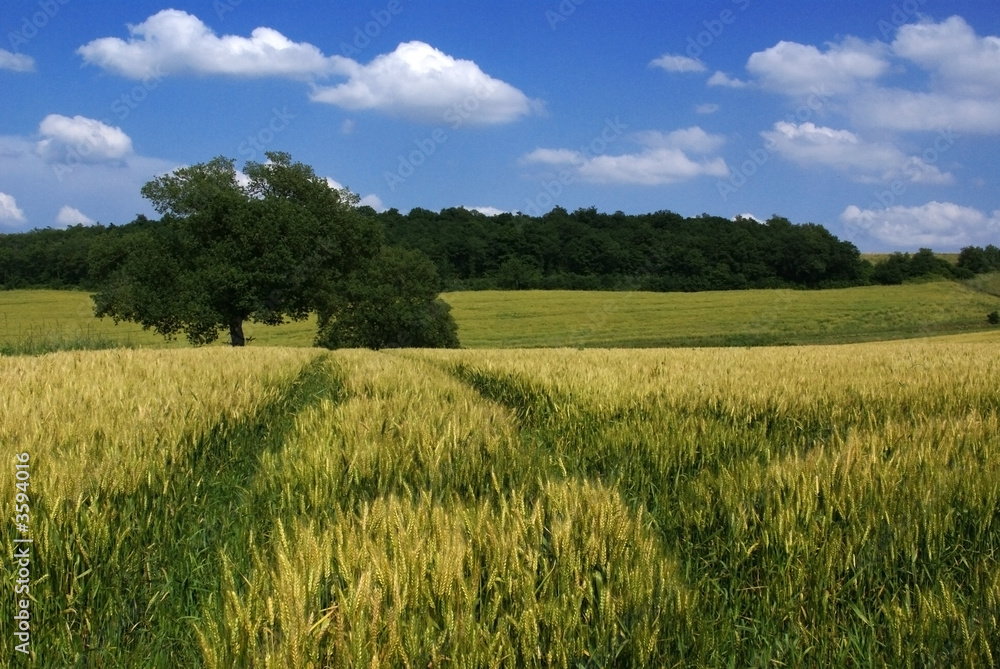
x=274 y=507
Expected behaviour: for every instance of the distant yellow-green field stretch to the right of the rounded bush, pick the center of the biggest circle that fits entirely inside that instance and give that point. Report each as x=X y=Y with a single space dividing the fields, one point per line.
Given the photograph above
x=757 y=317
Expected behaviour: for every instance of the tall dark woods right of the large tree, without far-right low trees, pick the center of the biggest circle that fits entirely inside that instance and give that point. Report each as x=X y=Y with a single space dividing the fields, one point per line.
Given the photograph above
x=589 y=250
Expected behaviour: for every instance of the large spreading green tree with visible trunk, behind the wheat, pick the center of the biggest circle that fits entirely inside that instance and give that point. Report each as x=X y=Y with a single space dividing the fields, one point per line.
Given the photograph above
x=271 y=247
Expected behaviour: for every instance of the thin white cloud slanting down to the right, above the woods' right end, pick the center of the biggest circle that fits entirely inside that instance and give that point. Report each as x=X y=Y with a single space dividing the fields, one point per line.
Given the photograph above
x=809 y=144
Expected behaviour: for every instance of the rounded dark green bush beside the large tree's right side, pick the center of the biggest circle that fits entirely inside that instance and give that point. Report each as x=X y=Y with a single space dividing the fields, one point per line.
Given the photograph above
x=390 y=303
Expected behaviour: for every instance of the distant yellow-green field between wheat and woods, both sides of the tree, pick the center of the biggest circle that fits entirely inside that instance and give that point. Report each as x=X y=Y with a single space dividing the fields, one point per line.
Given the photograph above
x=595 y=319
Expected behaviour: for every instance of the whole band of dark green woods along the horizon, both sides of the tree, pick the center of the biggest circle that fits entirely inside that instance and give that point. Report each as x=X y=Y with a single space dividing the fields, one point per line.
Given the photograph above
x=582 y=250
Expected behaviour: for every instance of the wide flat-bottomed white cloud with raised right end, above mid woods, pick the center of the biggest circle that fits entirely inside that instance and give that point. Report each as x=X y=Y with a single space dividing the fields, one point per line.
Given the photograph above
x=663 y=159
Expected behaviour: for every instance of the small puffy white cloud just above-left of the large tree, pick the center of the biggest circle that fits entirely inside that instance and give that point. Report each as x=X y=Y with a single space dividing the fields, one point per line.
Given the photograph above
x=80 y=140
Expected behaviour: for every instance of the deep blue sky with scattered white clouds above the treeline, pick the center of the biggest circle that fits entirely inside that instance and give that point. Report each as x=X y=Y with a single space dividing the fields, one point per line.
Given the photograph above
x=878 y=120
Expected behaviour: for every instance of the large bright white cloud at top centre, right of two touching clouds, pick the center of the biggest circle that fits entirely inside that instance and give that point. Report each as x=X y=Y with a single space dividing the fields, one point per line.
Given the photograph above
x=419 y=82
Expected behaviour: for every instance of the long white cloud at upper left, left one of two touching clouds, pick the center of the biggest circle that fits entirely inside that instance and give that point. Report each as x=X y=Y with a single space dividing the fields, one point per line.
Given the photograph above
x=175 y=42
